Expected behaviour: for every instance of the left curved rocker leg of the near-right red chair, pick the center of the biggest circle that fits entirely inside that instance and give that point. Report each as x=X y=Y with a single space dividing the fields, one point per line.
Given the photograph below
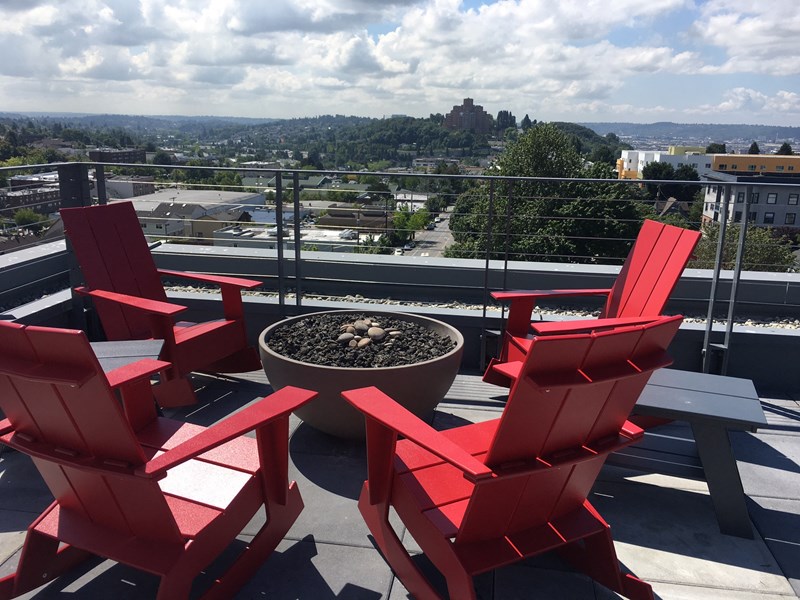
x=376 y=518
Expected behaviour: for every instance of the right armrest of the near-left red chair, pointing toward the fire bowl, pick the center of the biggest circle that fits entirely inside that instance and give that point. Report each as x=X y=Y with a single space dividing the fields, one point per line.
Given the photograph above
x=267 y=410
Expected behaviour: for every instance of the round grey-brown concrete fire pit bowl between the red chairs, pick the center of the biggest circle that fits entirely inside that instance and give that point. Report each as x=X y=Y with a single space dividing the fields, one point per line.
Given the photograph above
x=419 y=387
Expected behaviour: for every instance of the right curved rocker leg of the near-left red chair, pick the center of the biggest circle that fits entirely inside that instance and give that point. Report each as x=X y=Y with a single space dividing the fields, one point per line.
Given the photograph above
x=279 y=520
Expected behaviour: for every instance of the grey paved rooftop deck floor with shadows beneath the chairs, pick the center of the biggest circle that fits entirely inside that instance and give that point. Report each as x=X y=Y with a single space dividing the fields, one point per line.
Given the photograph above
x=664 y=527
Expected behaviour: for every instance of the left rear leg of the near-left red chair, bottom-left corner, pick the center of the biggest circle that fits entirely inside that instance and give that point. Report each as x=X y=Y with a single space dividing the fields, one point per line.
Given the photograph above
x=41 y=561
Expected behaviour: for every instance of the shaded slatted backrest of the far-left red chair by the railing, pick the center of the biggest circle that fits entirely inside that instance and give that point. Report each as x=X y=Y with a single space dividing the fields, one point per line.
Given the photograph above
x=114 y=256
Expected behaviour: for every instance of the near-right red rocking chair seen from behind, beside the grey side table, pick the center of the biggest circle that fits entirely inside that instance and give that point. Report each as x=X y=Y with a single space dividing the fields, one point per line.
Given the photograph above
x=489 y=494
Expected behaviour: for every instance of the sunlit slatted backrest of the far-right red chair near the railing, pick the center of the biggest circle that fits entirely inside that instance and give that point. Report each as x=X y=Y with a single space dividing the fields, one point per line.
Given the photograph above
x=651 y=271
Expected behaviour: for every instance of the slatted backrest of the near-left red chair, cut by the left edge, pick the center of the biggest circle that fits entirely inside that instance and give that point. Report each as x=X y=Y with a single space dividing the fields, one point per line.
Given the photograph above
x=58 y=400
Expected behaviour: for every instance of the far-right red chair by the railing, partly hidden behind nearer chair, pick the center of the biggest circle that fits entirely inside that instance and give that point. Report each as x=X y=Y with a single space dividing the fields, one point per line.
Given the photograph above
x=647 y=278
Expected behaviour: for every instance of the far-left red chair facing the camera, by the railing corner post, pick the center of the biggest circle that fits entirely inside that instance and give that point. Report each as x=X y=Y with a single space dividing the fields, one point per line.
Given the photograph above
x=122 y=279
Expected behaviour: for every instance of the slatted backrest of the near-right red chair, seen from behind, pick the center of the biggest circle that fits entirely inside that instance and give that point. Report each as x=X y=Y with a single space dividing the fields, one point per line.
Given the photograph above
x=564 y=414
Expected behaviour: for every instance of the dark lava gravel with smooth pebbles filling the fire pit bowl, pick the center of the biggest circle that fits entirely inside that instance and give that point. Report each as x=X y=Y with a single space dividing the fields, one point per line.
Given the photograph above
x=358 y=340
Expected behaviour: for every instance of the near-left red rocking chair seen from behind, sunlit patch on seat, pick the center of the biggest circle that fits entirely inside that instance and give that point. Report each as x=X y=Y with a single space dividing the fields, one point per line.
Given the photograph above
x=159 y=495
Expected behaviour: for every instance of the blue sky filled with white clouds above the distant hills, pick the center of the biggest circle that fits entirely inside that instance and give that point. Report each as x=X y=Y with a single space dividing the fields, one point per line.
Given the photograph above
x=687 y=61
